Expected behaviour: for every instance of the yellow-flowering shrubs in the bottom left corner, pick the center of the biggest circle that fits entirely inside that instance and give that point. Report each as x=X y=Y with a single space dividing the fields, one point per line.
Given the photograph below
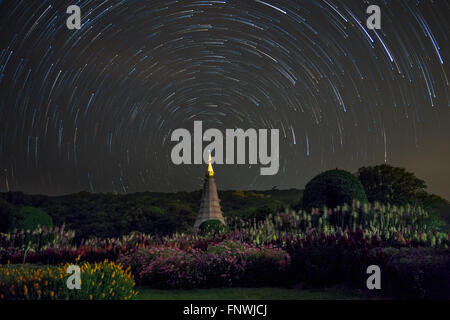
x=103 y=281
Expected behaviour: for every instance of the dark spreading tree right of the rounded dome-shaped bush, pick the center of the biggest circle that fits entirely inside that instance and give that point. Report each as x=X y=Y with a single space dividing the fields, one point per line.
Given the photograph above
x=388 y=184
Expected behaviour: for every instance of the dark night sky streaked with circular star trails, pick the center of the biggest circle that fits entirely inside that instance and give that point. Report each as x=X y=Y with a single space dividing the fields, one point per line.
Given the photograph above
x=93 y=109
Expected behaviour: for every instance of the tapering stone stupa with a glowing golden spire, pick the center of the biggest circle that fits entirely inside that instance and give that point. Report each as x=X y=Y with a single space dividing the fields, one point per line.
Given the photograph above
x=210 y=202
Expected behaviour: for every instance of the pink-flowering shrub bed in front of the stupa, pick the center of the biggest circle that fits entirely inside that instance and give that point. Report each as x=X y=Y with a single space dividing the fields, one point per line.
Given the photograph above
x=226 y=264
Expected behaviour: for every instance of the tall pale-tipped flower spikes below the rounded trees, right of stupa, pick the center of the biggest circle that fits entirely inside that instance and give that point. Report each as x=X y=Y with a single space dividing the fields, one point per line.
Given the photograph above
x=393 y=225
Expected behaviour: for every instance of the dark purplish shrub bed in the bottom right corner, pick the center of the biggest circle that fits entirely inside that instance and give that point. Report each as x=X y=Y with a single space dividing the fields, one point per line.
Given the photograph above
x=412 y=273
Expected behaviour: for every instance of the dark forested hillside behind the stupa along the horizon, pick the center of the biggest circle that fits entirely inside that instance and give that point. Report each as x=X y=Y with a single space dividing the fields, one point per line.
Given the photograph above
x=113 y=215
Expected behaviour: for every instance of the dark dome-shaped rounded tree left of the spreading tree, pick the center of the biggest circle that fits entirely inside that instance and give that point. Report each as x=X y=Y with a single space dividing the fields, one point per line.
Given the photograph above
x=332 y=188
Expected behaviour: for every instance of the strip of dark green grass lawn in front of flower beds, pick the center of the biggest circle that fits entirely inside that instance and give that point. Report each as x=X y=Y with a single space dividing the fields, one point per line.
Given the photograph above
x=244 y=294
